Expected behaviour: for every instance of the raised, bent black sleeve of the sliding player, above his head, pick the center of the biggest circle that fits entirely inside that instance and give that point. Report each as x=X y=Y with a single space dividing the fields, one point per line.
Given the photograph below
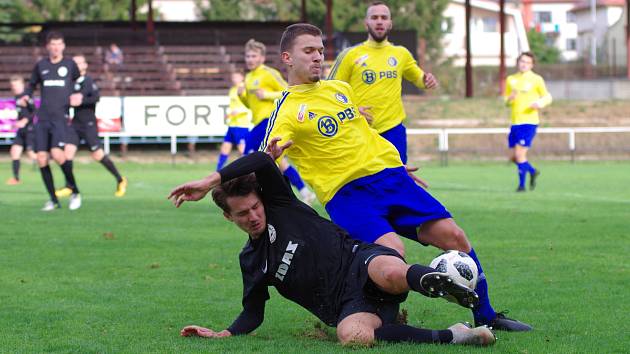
x=274 y=187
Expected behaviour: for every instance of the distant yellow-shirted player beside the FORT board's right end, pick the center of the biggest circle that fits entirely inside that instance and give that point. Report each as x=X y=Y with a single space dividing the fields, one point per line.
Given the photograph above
x=238 y=120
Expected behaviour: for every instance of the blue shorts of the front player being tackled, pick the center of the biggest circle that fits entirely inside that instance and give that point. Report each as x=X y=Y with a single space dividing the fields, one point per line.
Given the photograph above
x=388 y=201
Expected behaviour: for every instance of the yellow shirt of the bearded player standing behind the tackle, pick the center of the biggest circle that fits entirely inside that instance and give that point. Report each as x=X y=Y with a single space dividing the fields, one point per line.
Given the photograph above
x=375 y=72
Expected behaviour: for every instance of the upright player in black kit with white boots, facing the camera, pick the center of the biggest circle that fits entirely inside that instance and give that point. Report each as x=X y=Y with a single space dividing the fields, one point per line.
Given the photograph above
x=56 y=76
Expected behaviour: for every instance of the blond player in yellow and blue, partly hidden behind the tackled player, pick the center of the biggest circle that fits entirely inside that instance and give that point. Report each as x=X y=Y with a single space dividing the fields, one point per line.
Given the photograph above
x=263 y=85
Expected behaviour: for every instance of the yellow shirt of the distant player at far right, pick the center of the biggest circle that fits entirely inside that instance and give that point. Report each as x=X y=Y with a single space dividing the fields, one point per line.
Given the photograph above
x=529 y=87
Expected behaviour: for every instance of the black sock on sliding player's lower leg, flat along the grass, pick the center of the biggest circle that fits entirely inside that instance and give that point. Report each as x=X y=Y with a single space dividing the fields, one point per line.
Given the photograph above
x=405 y=333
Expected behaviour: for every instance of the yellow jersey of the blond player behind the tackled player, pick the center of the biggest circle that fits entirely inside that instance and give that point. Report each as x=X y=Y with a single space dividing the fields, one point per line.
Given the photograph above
x=271 y=82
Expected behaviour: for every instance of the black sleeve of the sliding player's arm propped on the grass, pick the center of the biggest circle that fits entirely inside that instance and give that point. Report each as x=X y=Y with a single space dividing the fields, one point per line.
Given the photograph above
x=255 y=295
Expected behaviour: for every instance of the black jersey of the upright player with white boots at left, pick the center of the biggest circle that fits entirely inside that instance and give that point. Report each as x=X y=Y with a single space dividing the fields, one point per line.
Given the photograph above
x=57 y=83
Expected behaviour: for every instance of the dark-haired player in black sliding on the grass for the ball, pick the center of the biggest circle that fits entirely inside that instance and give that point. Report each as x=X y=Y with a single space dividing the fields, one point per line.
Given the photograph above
x=346 y=283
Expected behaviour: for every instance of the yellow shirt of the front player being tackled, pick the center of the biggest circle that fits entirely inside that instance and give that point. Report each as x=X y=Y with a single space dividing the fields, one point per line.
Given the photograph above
x=332 y=142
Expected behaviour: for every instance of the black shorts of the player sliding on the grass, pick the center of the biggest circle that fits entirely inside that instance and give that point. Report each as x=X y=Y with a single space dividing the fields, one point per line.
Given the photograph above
x=360 y=294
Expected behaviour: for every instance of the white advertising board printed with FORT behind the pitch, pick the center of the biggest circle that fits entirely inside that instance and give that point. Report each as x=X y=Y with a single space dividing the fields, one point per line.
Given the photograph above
x=175 y=115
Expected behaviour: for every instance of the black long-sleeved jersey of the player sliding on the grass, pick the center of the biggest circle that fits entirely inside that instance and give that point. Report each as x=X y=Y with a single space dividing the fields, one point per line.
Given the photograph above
x=304 y=256
